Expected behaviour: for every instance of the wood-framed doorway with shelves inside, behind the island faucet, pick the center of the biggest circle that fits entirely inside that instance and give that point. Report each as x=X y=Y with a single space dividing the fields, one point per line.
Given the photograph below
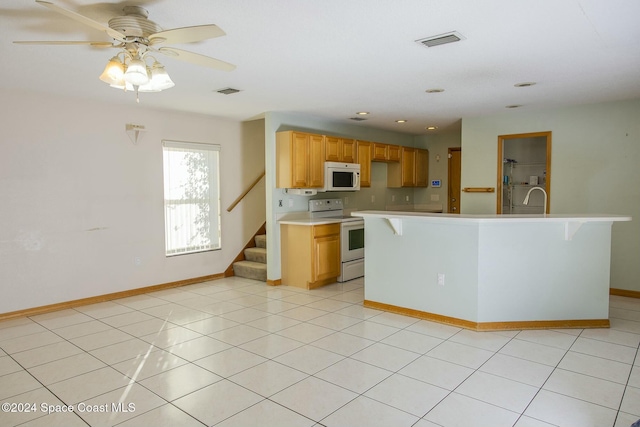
x=524 y=163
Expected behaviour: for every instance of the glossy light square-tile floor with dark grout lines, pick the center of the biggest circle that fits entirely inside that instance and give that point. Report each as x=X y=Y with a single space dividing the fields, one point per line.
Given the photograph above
x=235 y=352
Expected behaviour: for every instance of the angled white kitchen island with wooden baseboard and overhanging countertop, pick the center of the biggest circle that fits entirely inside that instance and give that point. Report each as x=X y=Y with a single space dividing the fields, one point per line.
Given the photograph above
x=490 y=272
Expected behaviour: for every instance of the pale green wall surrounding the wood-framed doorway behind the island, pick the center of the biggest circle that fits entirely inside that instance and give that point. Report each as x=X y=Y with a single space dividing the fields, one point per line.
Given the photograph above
x=594 y=168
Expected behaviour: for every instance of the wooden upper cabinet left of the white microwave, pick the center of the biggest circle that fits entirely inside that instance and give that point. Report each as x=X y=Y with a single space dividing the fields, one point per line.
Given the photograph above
x=300 y=160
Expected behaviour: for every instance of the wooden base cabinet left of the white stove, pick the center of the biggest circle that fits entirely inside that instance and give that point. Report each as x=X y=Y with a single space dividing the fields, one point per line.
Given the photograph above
x=310 y=255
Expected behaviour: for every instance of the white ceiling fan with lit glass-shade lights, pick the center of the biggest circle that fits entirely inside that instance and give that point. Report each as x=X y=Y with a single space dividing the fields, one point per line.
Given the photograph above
x=138 y=38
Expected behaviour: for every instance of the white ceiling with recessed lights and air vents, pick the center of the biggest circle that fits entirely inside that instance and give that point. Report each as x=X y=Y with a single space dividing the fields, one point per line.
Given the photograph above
x=332 y=58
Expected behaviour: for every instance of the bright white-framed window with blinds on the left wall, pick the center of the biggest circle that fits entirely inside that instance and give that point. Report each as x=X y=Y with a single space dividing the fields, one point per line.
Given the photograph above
x=191 y=197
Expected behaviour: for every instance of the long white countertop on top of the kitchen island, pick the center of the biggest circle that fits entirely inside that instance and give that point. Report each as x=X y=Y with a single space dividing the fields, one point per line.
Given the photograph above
x=493 y=217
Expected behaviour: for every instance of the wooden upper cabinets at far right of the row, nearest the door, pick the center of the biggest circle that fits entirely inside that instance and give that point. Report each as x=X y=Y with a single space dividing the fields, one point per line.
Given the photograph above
x=412 y=171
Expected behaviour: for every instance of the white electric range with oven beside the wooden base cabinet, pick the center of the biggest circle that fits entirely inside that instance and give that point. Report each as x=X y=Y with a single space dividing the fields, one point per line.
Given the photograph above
x=351 y=236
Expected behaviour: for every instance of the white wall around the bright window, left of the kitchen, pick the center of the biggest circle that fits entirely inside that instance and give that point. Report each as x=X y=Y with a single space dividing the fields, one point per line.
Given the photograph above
x=79 y=202
